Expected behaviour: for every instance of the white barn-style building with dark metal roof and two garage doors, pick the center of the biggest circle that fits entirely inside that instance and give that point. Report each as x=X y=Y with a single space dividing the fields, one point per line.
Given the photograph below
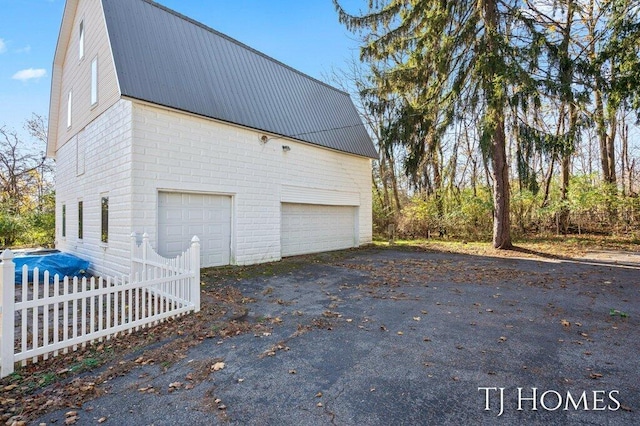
x=161 y=125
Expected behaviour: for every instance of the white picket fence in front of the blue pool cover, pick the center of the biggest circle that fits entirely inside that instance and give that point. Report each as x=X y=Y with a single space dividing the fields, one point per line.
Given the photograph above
x=54 y=315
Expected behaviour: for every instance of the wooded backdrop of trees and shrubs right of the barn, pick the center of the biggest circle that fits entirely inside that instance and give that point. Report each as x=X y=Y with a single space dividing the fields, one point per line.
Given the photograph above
x=499 y=116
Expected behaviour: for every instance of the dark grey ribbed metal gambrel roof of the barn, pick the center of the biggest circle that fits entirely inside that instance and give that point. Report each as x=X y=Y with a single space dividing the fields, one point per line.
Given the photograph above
x=168 y=59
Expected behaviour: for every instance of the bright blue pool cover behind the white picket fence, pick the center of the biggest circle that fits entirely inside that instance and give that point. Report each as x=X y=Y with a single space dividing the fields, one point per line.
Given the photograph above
x=56 y=262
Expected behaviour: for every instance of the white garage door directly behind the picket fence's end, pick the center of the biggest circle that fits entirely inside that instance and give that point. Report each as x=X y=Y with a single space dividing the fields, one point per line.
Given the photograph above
x=183 y=215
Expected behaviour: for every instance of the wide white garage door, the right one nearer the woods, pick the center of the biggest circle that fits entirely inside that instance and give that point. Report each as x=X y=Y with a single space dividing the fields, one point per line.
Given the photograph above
x=310 y=228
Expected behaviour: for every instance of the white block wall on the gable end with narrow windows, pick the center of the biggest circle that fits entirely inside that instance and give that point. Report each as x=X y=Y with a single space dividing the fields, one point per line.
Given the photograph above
x=106 y=148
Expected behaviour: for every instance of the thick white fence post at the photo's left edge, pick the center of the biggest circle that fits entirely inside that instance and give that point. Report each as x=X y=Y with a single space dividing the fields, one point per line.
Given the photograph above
x=7 y=312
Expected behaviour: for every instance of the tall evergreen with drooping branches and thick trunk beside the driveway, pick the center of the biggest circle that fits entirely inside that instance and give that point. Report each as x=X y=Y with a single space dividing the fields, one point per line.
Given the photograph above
x=443 y=56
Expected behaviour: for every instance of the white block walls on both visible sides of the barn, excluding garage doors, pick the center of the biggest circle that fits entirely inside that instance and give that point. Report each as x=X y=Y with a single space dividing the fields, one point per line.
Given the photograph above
x=134 y=151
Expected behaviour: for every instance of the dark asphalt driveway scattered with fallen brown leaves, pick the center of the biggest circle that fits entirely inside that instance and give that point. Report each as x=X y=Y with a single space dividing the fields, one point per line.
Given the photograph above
x=381 y=337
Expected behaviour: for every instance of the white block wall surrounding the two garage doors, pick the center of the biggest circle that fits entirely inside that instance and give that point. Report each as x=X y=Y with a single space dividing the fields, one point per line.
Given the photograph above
x=179 y=152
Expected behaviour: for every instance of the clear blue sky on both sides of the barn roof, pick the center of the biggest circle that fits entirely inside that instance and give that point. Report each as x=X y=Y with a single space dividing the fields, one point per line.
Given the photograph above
x=303 y=34
